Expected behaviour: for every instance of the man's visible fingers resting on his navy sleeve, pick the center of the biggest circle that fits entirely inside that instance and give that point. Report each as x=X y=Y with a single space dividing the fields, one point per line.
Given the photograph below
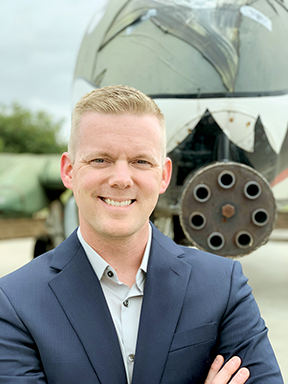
x=218 y=375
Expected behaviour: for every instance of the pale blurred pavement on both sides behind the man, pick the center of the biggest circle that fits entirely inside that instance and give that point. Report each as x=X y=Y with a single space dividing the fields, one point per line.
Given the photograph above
x=266 y=268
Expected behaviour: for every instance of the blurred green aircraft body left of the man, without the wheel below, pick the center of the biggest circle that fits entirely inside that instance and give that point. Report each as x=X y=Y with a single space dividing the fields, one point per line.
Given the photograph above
x=28 y=183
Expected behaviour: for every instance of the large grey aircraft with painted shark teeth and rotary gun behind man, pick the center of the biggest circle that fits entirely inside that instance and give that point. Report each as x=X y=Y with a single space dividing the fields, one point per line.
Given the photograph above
x=218 y=71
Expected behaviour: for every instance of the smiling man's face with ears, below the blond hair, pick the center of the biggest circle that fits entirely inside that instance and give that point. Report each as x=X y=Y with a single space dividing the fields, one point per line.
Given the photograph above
x=118 y=173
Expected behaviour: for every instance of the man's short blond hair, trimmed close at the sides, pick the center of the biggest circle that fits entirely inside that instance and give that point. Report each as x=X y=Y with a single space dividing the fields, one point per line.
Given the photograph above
x=117 y=100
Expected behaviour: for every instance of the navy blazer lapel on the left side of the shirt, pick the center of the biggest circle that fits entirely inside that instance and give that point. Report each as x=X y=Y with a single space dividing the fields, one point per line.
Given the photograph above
x=79 y=293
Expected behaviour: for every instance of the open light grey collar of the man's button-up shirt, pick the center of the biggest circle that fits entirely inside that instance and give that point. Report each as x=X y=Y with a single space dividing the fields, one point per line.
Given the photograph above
x=99 y=264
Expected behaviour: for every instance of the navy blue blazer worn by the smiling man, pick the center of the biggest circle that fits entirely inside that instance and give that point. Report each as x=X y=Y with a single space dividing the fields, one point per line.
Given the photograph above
x=56 y=328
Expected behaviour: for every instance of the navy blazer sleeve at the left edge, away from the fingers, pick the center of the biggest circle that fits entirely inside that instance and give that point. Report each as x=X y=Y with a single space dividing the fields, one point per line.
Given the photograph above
x=19 y=359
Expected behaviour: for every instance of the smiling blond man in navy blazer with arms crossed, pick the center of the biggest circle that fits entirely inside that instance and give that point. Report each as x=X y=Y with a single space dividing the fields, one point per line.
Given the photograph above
x=80 y=313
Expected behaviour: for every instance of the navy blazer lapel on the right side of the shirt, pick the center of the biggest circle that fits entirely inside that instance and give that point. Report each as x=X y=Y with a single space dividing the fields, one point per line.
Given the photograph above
x=165 y=287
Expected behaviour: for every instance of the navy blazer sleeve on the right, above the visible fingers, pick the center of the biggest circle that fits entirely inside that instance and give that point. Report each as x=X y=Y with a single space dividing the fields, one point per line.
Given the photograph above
x=243 y=333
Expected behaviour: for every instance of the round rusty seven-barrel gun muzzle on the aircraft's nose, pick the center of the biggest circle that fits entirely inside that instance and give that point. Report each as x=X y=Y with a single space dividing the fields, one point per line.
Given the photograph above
x=227 y=208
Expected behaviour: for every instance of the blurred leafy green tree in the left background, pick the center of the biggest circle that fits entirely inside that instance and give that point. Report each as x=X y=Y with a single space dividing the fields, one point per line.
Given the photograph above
x=24 y=131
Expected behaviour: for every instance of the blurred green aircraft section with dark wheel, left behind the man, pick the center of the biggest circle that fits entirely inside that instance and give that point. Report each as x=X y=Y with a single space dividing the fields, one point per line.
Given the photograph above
x=29 y=183
